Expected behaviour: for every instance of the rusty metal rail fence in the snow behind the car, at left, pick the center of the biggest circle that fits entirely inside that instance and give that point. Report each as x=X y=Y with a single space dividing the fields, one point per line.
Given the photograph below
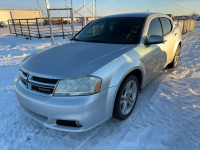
x=32 y=27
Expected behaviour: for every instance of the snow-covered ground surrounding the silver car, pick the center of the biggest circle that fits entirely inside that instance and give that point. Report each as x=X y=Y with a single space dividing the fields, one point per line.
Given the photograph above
x=167 y=115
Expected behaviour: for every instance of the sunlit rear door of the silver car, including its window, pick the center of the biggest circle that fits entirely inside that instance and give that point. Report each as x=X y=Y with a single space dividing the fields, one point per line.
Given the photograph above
x=169 y=36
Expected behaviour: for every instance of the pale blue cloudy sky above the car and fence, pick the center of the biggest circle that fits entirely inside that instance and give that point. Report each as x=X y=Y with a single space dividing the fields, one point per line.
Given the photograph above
x=107 y=7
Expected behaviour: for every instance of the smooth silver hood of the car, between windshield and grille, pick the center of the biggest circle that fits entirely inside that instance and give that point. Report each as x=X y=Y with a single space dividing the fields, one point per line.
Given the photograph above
x=73 y=59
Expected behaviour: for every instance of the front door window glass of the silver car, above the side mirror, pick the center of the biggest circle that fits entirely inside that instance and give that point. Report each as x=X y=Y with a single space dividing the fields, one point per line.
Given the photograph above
x=155 y=28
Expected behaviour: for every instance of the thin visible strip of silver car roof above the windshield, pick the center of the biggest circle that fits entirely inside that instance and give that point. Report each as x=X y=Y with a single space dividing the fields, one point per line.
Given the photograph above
x=139 y=14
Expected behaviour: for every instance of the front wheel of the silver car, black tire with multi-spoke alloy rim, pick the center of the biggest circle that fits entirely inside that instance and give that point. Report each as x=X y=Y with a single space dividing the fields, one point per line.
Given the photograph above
x=126 y=98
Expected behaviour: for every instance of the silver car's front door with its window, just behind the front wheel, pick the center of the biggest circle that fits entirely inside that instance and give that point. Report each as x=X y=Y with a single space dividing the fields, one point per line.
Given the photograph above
x=156 y=56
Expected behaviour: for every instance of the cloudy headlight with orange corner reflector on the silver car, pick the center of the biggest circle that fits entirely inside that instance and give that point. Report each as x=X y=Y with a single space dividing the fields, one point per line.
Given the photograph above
x=78 y=86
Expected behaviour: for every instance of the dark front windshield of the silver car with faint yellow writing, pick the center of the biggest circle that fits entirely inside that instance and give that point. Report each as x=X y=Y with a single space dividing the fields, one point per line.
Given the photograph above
x=124 y=30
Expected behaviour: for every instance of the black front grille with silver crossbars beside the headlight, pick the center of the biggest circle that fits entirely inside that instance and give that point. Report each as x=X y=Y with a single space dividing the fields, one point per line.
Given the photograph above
x=37 y=85
